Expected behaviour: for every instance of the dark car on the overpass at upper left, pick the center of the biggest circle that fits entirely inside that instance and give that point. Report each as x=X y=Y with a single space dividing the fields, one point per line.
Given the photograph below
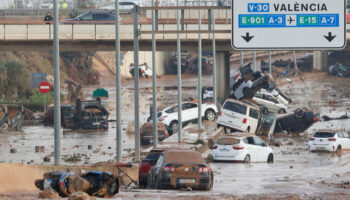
x=98 y=17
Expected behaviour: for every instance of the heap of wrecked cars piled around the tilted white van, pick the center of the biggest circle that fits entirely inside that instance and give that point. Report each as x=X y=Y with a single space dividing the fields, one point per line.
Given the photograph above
x=255 y=105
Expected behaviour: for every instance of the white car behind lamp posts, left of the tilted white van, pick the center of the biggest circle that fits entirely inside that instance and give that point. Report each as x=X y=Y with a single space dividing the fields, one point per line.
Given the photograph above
x=169 y=115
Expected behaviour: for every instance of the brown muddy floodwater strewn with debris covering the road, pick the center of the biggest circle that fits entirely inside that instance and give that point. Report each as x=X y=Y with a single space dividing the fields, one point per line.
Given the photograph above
x=295 y=170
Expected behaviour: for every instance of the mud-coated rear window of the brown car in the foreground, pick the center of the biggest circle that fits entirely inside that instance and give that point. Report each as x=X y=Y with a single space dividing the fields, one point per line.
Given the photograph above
x=183 y=157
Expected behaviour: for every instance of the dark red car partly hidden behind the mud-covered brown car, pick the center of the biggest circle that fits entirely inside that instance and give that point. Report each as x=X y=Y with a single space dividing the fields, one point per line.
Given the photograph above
x=146 y=165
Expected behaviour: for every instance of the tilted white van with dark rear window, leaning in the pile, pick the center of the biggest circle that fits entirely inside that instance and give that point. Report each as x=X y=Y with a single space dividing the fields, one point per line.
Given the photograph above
x=240 y=116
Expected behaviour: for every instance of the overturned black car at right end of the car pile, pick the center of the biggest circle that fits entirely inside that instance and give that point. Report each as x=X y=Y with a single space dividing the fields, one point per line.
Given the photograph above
x=298 y=121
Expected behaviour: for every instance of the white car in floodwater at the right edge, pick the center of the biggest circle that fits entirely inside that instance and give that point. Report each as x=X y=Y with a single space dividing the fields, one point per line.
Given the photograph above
x=332 y=141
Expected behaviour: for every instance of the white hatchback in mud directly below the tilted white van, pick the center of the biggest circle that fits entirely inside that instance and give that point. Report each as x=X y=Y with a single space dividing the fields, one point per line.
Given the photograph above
x=242 y=147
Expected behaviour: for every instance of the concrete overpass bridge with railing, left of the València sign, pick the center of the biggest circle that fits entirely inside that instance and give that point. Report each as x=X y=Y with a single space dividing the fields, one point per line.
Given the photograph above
x=99 y=35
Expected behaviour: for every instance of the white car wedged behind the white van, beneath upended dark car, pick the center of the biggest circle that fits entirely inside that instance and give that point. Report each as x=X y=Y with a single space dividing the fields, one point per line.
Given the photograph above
x=272 y=103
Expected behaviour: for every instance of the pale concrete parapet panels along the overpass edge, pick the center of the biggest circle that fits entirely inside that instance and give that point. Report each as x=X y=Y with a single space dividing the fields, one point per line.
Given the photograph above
x=105 y=32
